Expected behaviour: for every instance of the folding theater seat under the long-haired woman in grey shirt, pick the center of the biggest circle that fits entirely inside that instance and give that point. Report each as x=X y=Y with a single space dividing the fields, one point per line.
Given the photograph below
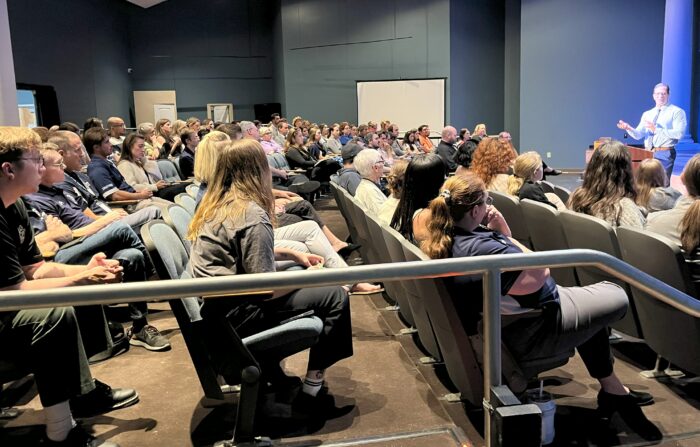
x=210 y=336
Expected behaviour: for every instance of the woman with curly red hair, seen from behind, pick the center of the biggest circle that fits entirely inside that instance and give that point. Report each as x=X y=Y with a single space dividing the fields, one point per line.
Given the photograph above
x=491 y=162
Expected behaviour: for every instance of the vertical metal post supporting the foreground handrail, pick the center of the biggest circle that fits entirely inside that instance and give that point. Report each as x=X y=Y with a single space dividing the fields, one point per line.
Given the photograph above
x=492 y=343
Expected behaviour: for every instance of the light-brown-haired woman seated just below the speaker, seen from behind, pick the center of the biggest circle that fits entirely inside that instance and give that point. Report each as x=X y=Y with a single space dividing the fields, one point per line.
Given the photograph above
x=652 y=194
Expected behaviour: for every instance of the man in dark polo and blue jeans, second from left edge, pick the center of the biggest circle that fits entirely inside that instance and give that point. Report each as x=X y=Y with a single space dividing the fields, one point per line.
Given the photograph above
x=106 y=234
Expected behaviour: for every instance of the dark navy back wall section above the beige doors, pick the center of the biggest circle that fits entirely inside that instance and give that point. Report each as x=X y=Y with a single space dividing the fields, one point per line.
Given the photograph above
x=219 y=52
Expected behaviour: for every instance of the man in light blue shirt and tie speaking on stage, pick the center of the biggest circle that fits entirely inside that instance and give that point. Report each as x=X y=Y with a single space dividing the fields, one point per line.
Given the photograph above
x=661 y=127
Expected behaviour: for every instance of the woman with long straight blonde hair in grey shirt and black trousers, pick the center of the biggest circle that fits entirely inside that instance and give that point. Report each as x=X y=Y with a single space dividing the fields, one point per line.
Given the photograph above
x=232 y=234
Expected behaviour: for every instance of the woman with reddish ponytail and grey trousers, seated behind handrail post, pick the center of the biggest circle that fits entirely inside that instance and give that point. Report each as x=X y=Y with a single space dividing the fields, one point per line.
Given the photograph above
x=465 y=224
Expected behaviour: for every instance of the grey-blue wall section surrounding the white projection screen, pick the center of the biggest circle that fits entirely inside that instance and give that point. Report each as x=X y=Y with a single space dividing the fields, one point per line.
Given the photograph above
x=330 y=44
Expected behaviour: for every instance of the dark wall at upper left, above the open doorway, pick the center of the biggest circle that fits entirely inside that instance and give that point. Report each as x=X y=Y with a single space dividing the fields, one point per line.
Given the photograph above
x=78 y=47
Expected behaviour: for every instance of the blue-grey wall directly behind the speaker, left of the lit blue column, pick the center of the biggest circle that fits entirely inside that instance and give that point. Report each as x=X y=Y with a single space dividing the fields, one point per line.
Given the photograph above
x=583 y=69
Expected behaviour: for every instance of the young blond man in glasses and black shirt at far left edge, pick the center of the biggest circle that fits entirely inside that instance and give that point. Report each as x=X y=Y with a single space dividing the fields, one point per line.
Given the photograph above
x=47 y=341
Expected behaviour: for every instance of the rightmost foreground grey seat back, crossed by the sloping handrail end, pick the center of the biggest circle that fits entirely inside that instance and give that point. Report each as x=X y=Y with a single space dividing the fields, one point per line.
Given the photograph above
x=671 y=333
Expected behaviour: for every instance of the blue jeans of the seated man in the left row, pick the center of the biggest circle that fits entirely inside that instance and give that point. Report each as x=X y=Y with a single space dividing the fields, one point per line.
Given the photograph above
x=117 y=241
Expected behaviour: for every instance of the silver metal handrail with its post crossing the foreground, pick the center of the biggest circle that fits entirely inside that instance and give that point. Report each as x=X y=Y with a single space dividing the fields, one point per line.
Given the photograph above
x=489 y=266
